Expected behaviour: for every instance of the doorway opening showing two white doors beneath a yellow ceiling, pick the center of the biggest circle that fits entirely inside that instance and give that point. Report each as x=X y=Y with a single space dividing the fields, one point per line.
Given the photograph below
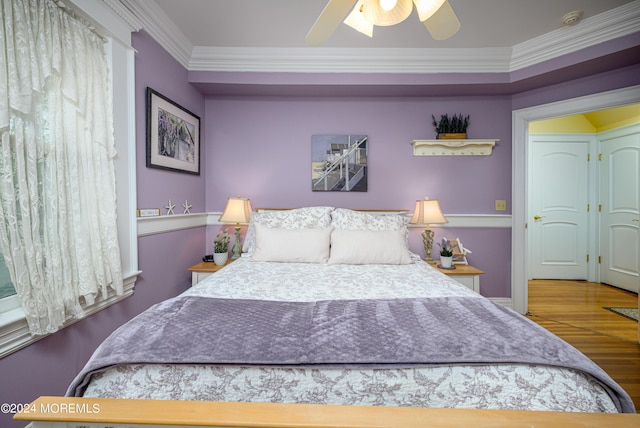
x=564 y=185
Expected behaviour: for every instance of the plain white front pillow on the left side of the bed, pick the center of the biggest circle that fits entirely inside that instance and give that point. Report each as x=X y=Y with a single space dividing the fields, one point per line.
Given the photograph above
x=291 y=245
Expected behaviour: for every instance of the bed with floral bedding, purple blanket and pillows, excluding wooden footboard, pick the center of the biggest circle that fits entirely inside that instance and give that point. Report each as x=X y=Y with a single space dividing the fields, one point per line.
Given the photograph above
x=328 y=306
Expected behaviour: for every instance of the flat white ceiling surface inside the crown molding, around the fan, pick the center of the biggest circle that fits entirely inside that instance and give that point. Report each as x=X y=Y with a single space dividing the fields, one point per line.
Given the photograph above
x=284 y=23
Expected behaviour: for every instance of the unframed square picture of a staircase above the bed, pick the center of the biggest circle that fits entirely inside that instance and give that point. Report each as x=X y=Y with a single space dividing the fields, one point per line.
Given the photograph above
x=339 y=163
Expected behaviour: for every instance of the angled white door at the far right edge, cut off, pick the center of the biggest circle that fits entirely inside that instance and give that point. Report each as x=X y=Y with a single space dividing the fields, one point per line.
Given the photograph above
x=619 y=211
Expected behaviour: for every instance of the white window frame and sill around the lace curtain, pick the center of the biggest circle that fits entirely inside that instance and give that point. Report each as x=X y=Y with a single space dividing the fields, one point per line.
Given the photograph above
x=14 y=331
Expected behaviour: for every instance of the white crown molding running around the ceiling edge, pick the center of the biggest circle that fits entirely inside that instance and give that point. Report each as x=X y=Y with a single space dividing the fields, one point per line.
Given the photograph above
x=606 y=26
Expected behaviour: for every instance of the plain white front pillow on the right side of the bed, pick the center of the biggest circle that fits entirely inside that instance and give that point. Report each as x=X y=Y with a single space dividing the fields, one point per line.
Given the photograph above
x=360 y=247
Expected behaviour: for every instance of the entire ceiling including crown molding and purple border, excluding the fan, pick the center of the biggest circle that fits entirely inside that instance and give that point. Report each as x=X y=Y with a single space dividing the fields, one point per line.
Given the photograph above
x=257 y=47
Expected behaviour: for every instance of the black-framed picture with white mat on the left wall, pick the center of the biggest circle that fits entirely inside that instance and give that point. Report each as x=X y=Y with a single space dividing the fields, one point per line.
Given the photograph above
x=173 y=135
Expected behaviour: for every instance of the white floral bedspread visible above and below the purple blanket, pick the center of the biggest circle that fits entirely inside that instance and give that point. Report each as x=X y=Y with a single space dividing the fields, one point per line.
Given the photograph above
x=507 y=385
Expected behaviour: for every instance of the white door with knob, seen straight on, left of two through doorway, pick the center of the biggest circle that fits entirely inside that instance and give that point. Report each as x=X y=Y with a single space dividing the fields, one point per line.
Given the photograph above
x=558 y=195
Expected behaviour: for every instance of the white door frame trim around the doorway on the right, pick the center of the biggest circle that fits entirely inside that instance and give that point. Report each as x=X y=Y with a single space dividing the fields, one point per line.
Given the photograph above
x=520 y=220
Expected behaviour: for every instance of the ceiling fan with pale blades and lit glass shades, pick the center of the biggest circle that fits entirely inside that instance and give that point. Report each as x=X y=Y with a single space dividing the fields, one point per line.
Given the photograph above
x=362 y=15
